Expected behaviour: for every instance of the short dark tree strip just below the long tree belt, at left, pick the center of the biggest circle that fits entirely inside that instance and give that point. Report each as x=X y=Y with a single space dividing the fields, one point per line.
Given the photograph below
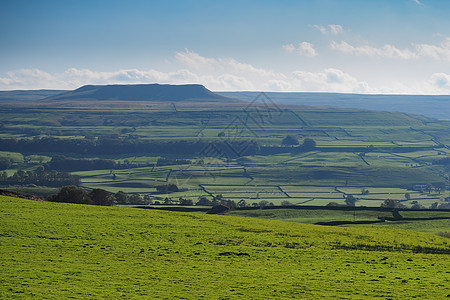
x=67 y=164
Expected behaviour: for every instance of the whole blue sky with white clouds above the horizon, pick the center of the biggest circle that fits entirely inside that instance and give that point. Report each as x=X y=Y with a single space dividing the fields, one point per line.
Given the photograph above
x=348 y=46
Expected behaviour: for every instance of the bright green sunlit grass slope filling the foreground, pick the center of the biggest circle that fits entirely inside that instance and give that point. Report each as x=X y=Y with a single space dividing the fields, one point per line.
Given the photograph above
x=51 y=250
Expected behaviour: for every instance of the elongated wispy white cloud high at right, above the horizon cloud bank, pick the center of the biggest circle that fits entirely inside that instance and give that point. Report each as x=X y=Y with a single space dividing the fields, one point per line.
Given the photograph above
x=387 y=51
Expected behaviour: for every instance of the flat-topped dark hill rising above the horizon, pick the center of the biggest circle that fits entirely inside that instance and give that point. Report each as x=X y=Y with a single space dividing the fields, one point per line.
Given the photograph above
x=143 y=92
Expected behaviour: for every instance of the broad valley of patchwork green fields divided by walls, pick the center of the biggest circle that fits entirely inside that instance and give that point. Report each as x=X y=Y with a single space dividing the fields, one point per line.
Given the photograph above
x=354 y=149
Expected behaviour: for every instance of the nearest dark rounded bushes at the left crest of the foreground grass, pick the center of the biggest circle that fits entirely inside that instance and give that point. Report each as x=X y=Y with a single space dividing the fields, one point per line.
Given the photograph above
x=74 y=194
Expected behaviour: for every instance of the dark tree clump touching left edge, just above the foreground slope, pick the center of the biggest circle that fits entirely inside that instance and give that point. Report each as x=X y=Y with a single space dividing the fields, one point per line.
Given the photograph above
x=39 y=177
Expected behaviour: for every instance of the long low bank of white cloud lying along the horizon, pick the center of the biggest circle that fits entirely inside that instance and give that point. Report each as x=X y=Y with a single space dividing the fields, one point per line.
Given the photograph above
x=224 y=74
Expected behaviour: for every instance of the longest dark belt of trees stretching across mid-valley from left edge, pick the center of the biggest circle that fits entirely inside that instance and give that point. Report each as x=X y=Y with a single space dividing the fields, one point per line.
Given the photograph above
x=109 y=145
